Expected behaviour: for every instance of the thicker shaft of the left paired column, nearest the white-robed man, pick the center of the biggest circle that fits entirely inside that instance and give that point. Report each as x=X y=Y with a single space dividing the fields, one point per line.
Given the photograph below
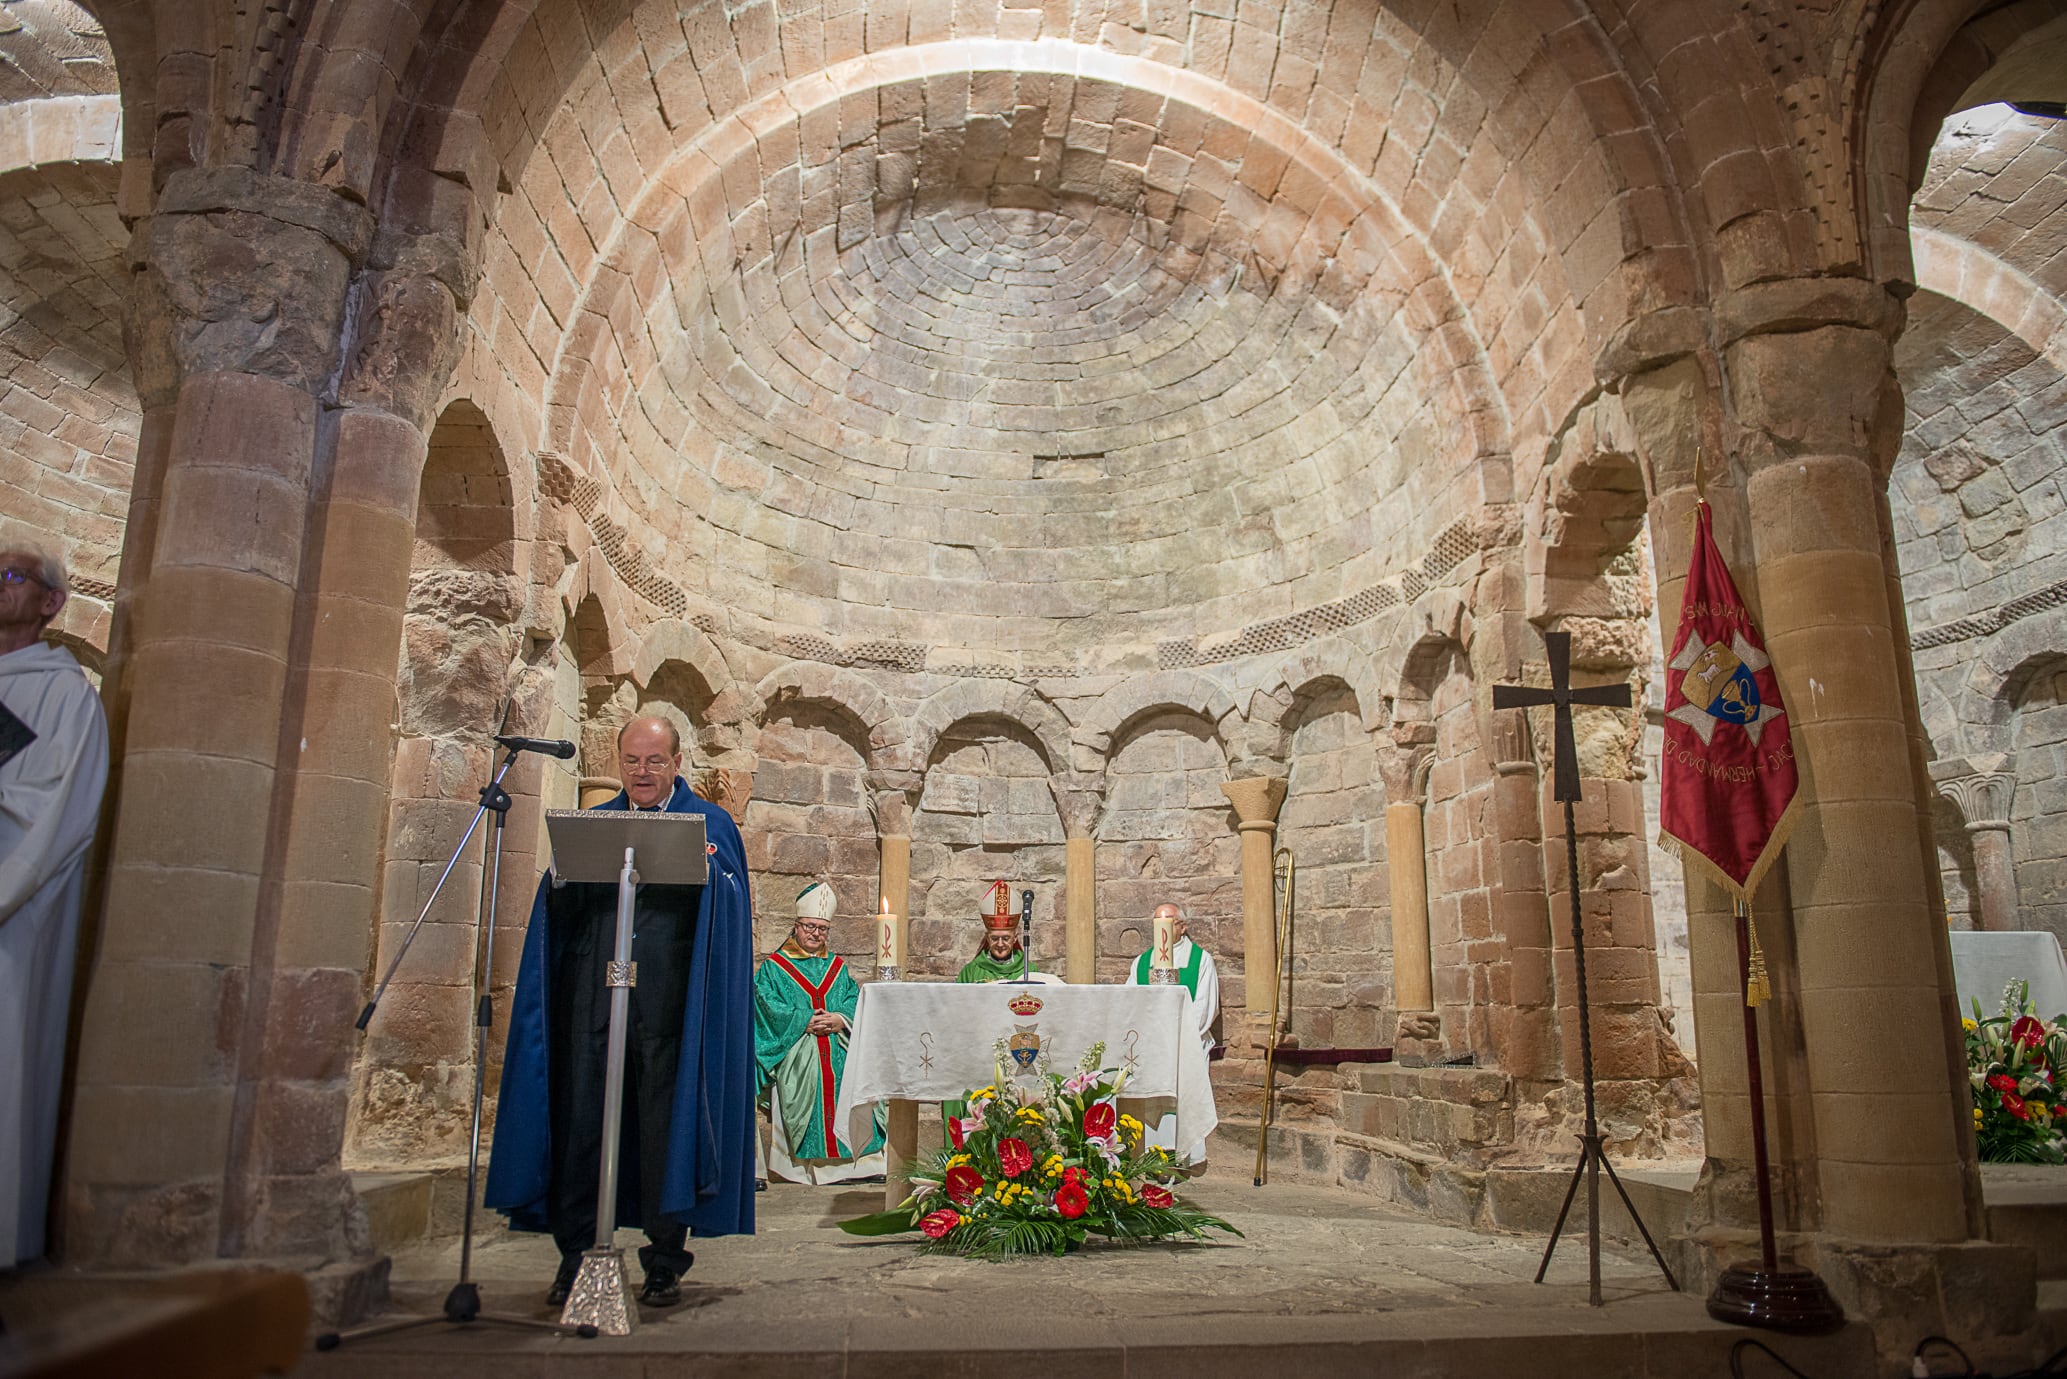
x=235 y=336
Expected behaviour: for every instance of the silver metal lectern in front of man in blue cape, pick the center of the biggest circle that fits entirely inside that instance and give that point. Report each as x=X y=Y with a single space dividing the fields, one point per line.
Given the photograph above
x=629 y=849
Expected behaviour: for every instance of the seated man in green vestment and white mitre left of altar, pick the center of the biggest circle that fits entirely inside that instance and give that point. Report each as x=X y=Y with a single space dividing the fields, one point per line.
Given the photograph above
x=805 y=1006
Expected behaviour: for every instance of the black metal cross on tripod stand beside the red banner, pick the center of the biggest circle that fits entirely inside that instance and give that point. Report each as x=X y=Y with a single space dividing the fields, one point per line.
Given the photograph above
x=1566 y=776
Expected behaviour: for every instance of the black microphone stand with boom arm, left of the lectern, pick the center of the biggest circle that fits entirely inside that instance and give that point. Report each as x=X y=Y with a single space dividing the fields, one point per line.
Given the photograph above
x=464 y=1304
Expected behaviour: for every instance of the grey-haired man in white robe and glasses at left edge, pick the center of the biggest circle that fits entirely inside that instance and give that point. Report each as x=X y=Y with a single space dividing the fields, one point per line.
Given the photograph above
x=53 y=772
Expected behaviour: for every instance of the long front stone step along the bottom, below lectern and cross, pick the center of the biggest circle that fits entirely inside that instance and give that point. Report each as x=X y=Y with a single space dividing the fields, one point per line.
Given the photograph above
x=1634 y=1339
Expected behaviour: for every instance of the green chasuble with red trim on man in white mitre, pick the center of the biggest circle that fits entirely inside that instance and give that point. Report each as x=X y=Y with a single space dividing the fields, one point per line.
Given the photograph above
x=797 y=1068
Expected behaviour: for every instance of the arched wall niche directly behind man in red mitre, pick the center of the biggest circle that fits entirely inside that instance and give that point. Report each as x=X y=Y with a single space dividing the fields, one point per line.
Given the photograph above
x=985 y=814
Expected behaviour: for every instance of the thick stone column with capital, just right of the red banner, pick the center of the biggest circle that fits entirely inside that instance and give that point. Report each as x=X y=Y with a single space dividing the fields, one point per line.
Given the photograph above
x=1808 y=367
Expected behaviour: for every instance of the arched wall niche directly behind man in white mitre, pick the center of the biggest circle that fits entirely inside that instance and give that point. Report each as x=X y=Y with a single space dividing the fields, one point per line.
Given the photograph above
x=809 y=822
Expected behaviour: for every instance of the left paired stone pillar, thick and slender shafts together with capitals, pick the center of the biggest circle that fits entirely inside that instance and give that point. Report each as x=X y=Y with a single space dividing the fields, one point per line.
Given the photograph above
x=243 y=876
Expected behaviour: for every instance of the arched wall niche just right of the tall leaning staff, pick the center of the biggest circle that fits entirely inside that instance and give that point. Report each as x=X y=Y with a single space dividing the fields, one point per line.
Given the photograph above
x=1334 y=824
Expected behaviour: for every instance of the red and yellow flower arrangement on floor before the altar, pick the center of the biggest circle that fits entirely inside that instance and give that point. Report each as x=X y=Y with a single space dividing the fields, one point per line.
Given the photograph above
x=1041 y=1171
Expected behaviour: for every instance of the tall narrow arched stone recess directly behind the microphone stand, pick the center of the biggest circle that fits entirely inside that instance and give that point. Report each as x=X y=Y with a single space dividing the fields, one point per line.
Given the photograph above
x=460 y=640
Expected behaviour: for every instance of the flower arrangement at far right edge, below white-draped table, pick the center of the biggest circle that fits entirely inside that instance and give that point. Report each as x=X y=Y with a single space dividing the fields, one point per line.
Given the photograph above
x=2014 y=1064
